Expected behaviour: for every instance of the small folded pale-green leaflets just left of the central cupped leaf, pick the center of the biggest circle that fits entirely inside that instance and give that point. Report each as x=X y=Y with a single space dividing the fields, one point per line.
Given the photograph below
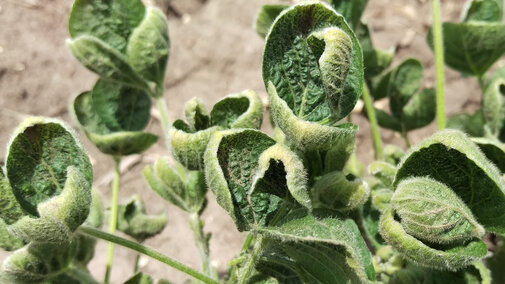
x=185 y=189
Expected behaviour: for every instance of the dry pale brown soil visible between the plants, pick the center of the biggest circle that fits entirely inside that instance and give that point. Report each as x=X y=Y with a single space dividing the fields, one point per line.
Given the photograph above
x=215 y=51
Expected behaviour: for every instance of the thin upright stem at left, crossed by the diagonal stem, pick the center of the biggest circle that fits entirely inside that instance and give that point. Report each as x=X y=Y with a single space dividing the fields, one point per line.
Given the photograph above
x=113 y=217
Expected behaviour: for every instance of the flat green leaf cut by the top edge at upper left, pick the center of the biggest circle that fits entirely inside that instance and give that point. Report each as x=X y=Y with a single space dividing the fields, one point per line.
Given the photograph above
x=110 y=21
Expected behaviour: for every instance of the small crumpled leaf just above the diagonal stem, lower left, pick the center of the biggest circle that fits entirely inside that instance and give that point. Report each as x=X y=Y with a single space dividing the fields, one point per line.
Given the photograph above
x=133 y=220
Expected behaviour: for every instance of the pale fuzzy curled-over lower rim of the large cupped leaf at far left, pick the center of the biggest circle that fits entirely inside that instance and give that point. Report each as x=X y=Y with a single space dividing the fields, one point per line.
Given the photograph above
x=60 y=215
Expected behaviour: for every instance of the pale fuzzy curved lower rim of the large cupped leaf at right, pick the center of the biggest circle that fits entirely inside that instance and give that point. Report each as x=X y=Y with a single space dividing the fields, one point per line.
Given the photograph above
x=436 y=257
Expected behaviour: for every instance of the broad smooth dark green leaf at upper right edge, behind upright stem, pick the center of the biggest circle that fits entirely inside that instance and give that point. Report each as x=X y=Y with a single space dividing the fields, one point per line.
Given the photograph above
x=472 y=47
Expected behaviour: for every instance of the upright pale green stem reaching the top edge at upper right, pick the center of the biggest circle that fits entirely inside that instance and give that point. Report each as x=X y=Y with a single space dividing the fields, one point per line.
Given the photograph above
x=439 y=62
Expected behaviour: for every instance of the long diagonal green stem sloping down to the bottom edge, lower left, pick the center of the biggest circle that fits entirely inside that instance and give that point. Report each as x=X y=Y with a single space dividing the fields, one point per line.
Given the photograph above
x=96 y=233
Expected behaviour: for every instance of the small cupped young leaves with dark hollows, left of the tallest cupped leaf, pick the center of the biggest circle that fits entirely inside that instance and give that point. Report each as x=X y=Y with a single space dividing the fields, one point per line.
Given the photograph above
x=189 y=141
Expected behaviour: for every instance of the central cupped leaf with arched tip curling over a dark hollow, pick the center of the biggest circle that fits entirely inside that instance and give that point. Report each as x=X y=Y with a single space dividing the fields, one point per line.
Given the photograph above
x=251 y=176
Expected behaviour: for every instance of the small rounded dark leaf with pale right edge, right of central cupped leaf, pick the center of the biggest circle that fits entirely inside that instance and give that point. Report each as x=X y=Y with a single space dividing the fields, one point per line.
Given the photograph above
x=340 y=192
